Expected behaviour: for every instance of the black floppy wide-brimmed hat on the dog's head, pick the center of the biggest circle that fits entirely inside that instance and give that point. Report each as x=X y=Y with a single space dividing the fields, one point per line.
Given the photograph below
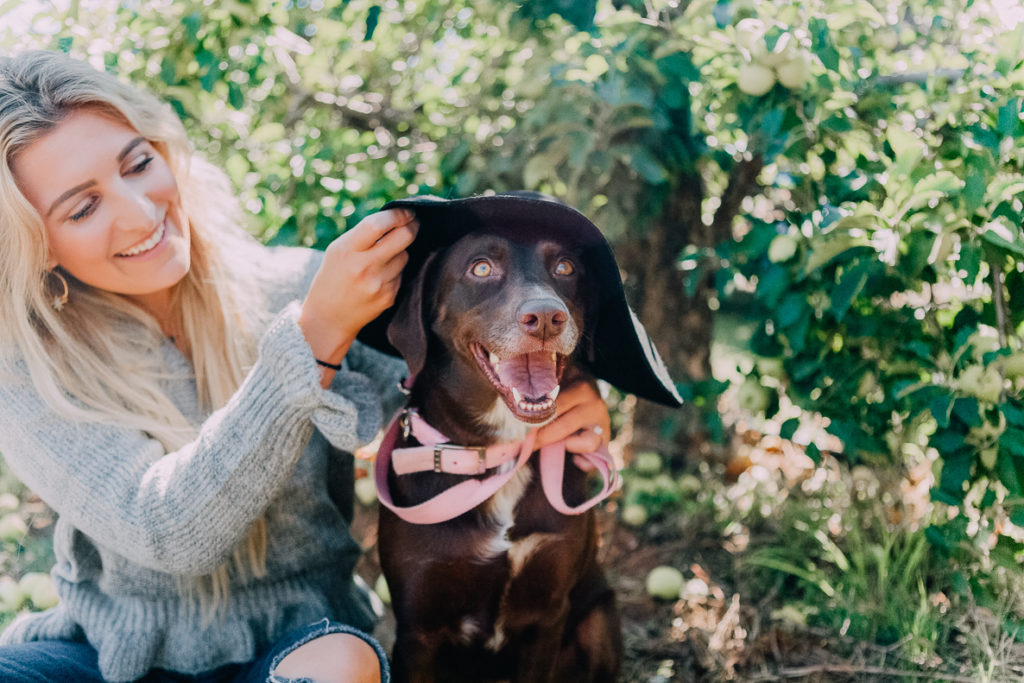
x=624 y=355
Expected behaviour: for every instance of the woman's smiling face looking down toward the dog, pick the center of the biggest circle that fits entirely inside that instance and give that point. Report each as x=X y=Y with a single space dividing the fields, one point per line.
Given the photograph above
x=111 y=207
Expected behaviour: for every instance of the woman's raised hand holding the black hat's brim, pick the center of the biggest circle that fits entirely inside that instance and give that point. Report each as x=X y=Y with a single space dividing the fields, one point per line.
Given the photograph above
x=359 y=279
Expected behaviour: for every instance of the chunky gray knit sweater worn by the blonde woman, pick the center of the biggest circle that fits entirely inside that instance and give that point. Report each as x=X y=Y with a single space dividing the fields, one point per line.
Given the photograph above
x=133 y=519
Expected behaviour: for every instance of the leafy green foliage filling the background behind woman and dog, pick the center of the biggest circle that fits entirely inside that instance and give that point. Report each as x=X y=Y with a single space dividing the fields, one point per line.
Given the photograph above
x=868 y=224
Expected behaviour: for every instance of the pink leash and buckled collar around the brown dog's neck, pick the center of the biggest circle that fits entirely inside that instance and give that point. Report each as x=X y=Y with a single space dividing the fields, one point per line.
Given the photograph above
x=437 y=455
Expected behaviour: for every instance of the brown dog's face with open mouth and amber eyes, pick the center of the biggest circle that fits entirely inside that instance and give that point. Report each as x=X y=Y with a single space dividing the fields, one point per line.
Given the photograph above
x=507 y=315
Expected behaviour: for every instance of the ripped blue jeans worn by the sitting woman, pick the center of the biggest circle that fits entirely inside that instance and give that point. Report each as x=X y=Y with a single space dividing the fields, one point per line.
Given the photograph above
x=48 y=661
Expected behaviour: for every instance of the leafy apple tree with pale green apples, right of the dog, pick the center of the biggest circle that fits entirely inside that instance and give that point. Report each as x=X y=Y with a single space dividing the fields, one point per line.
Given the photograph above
x=848 y=175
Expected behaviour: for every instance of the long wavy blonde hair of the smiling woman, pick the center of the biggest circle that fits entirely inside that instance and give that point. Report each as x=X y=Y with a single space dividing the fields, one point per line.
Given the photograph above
x=79 y=363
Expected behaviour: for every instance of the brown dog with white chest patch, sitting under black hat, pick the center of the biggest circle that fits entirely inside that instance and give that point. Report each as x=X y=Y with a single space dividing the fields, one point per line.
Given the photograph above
x=511 y=589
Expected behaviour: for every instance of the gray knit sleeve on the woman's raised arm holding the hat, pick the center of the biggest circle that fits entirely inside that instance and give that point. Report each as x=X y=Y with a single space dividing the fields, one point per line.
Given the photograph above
x=185 y=511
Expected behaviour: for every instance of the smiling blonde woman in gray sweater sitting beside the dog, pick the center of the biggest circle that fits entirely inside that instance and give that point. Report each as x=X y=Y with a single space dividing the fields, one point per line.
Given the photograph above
x=183 y=397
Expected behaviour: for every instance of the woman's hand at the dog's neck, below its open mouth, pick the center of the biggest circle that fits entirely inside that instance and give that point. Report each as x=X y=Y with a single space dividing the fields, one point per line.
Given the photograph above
x=583 y=419
